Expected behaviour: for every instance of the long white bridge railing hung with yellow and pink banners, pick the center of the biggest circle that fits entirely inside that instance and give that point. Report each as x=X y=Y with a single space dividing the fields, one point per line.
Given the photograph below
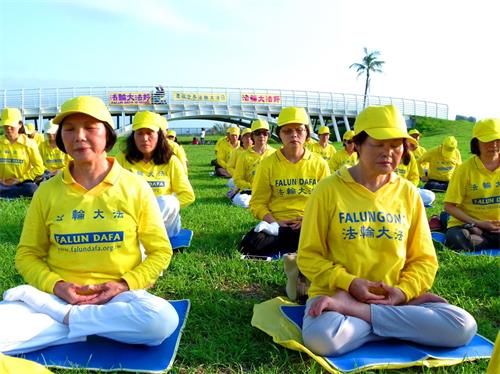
x=41 y=100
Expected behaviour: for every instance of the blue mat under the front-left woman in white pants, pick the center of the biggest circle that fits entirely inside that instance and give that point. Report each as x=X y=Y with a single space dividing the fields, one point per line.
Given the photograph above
x=103 y=354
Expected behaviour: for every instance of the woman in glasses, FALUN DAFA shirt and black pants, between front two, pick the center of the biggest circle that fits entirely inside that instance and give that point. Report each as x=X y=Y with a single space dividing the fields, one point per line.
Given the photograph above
x=282 y=184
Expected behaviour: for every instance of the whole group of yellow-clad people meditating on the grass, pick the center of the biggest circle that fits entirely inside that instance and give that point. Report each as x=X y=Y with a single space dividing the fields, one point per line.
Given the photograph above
x=95 y=236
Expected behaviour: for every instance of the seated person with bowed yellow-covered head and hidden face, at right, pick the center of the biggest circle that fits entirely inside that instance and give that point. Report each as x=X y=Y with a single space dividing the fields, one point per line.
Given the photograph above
x=442 y=161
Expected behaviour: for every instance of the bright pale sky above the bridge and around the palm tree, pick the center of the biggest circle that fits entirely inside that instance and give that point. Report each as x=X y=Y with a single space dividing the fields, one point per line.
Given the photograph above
x=443 y=51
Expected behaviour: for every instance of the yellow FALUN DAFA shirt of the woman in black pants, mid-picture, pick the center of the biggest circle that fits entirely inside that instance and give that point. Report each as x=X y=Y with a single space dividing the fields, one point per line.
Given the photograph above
x=282 y=188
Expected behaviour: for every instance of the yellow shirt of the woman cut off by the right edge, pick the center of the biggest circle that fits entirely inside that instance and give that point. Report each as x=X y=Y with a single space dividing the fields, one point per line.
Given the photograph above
x=475 y=190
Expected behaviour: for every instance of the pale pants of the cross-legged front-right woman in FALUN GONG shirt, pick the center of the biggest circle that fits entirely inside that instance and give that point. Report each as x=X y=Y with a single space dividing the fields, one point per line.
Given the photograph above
x=436 y=324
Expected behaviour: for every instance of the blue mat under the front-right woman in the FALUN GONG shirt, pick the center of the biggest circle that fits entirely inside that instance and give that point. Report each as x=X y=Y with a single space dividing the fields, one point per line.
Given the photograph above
x=394 y=351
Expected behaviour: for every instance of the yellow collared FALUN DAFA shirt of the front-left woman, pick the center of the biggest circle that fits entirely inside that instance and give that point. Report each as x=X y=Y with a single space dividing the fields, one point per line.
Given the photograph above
x=92 y=236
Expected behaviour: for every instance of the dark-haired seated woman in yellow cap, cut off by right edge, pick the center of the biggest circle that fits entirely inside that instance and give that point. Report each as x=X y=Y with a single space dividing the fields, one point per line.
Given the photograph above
x=472 y=198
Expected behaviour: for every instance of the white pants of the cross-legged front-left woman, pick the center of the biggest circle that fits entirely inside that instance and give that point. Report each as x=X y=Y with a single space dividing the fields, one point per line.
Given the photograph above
x=134 y=317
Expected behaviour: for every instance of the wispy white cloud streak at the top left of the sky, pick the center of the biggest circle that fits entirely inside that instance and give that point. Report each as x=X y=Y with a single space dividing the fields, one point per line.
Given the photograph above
x=152 y=12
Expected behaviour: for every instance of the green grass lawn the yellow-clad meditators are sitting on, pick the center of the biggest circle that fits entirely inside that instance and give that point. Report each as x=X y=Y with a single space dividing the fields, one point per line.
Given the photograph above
x=222 y=288
